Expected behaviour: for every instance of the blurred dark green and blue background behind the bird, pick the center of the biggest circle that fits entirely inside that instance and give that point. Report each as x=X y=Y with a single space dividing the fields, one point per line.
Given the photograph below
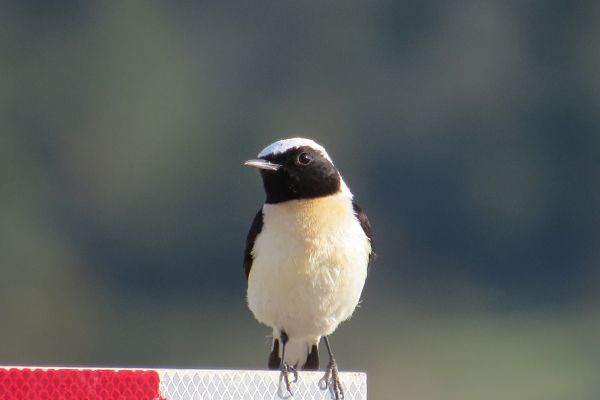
x=468 y=130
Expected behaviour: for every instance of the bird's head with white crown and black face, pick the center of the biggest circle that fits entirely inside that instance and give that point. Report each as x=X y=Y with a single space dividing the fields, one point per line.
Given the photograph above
x=295 y=169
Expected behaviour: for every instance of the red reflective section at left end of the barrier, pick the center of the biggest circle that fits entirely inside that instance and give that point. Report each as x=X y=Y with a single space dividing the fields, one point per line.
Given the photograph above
x=74 y=384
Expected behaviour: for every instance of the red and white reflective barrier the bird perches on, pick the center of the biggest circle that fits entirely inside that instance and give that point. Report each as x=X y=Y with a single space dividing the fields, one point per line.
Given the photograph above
x=56 y=383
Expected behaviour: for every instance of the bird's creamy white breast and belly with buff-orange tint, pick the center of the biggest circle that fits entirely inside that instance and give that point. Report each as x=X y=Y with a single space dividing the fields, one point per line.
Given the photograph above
x=310 y=265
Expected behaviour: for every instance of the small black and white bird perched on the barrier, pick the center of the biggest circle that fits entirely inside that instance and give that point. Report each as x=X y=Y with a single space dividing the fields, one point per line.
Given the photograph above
x=307 y=255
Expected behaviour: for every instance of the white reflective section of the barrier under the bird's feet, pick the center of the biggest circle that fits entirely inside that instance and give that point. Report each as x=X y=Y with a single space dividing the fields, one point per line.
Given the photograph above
x=251 y=385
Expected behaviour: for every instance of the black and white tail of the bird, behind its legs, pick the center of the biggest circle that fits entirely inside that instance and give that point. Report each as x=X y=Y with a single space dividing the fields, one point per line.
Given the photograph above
x=300 y=353
